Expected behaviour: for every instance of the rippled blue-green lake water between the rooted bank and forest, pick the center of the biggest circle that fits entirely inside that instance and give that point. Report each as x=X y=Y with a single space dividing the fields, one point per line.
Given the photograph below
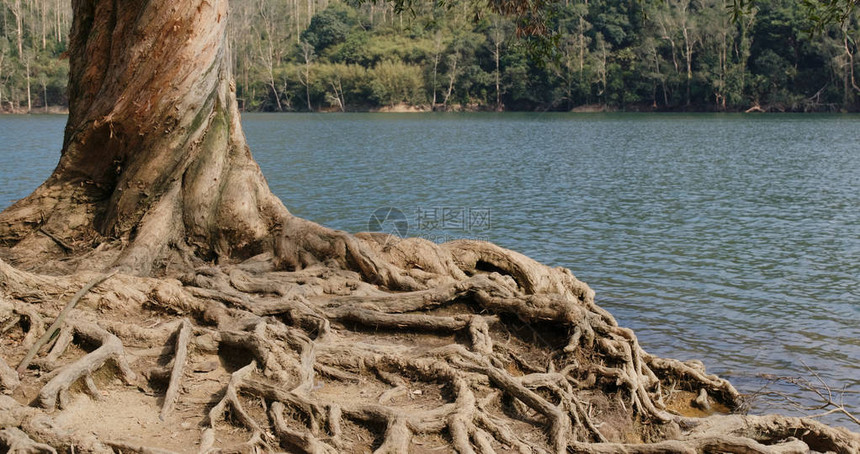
x=734 y=239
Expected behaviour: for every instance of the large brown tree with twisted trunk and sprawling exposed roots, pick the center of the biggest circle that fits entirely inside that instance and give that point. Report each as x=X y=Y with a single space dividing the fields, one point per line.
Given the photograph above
x=193 y=281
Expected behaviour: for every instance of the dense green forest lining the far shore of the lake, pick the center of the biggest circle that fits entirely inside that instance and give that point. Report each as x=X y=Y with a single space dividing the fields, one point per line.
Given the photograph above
x=334 y=55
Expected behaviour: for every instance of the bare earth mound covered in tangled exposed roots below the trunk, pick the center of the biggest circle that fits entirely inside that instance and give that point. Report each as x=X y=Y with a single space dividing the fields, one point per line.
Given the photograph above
x=393 y=346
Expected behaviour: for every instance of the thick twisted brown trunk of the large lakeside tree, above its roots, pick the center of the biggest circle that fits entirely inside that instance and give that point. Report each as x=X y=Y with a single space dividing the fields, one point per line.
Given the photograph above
x=153 y=152
